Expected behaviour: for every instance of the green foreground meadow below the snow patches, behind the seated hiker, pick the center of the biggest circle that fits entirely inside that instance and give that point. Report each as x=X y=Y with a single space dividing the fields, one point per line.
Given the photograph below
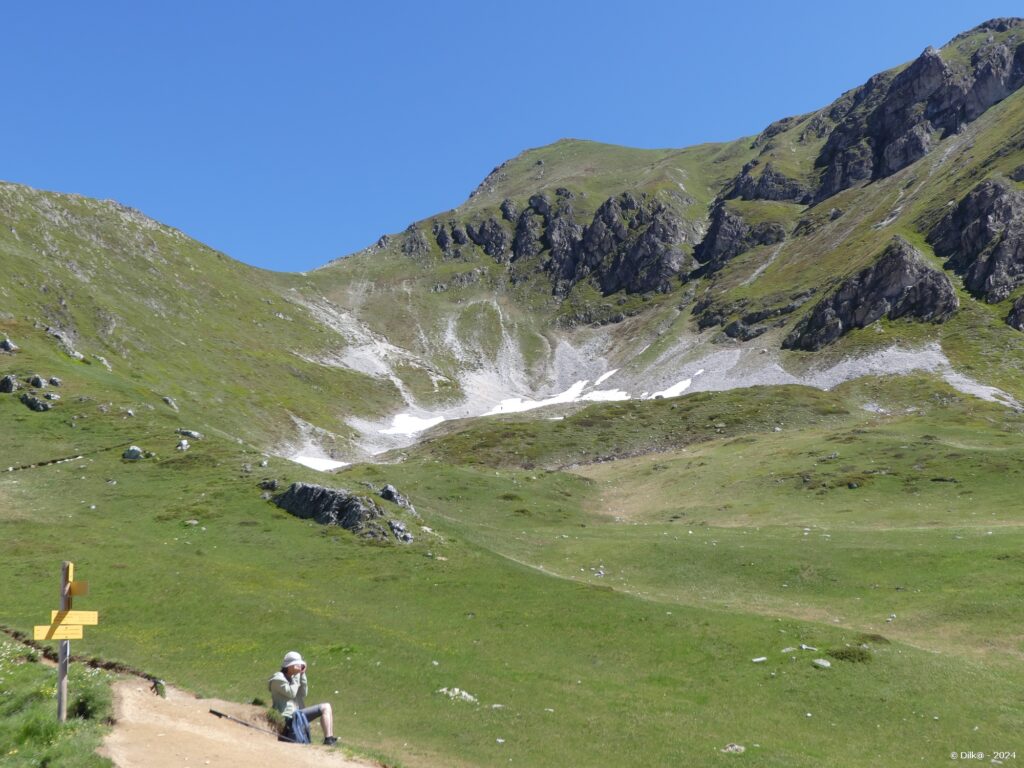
x=652 y=659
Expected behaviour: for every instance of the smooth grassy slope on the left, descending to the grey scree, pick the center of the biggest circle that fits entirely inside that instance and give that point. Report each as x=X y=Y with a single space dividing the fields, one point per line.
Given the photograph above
x=174 y=317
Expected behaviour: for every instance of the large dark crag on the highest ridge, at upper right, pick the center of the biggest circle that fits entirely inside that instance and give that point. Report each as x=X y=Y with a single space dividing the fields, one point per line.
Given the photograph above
x=888 y=123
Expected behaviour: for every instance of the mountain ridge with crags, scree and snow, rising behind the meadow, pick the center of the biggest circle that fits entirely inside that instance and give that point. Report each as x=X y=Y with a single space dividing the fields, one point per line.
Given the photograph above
x=867 y=238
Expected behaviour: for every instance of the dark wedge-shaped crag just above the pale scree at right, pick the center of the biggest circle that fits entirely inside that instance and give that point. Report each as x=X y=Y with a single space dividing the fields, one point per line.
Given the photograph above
x=899 y=285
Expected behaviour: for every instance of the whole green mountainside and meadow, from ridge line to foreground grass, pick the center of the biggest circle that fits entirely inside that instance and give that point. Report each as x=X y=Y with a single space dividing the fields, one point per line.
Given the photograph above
x=615 y=583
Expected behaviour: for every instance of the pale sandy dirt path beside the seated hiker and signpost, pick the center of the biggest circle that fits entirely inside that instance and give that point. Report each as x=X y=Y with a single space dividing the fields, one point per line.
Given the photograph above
x=180 y=732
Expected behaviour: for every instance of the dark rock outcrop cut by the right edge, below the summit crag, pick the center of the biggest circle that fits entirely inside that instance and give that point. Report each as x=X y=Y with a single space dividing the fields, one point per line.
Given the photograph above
x=984 y=240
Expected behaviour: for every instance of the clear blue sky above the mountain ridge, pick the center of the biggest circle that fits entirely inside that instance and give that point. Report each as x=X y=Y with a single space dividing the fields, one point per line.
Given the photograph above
x=287 y=135
